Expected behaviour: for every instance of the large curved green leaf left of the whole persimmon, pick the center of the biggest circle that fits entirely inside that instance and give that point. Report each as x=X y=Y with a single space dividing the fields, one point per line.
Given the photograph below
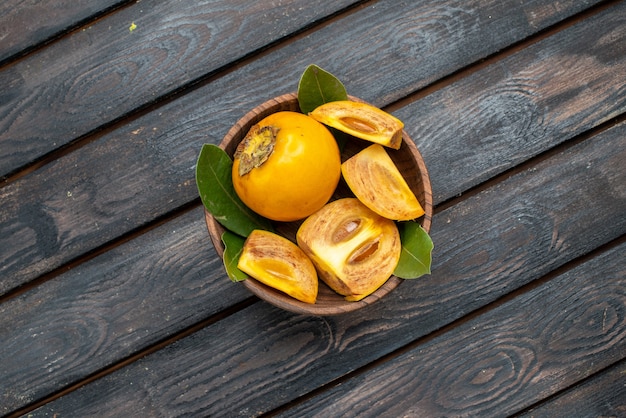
x=215 y=186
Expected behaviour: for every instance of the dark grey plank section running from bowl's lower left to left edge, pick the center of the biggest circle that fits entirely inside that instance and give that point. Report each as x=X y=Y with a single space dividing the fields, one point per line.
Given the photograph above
x=110 y=307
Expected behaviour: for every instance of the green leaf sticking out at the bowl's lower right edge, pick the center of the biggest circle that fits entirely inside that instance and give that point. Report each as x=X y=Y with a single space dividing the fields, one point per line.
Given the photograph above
x=417 y=247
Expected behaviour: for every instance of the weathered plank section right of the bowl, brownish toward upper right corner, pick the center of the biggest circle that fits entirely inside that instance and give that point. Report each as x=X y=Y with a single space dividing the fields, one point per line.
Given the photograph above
x=522 y=104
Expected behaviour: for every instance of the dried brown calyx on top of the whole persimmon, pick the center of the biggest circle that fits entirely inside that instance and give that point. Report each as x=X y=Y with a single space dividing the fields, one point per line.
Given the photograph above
x=256 y=147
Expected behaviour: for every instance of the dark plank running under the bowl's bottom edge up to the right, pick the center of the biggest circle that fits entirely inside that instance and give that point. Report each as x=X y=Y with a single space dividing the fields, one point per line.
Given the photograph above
x=487 y=246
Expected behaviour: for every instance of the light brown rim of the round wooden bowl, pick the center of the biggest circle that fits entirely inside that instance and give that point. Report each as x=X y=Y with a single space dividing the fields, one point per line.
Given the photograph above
x=273 y=296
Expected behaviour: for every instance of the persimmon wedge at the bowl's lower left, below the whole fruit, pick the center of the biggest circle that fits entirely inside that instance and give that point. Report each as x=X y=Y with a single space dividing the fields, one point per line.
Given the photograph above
x=279 y=263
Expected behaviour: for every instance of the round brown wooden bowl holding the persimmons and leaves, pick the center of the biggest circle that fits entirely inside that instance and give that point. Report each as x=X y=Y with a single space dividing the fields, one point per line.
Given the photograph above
x=408 y=160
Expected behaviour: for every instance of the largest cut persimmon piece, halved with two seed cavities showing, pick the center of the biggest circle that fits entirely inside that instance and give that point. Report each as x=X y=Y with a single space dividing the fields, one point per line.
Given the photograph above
x=354 y=250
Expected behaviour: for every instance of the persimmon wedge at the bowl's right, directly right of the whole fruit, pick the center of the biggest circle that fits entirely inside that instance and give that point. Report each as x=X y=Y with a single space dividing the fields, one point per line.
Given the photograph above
x=376 y=181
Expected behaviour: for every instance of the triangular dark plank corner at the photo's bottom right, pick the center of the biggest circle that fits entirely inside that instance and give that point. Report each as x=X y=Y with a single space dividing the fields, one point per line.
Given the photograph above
x=603 y=395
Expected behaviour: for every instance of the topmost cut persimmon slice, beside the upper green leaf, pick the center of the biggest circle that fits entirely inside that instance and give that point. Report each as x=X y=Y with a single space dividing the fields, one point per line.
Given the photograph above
x=361 y=120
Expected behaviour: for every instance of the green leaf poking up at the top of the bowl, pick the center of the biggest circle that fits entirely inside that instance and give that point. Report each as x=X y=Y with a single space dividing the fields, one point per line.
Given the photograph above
x=317 y=87
